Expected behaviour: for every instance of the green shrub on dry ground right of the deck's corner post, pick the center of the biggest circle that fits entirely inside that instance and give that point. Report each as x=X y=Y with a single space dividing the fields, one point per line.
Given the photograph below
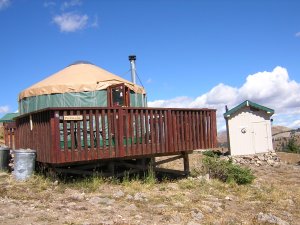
x=226 y=171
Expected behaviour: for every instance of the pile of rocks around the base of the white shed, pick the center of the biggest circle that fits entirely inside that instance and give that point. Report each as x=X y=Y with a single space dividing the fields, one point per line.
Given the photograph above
x=269 y=158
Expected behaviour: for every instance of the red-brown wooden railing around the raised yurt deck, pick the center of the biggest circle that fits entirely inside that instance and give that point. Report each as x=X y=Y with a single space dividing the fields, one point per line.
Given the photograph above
x=67 y=135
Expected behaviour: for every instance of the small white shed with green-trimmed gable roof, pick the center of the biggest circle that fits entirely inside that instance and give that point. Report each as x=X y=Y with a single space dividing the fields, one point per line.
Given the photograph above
x=249 y=129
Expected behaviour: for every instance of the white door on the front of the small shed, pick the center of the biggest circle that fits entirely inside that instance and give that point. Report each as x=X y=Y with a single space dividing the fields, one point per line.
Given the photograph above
x=260 y=137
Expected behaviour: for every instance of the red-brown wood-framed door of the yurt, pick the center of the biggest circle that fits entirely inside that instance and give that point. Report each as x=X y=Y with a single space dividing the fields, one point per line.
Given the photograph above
x=118 y=95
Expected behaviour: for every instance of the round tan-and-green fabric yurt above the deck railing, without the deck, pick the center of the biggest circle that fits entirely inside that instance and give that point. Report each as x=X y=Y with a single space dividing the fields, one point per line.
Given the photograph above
x=81 y=84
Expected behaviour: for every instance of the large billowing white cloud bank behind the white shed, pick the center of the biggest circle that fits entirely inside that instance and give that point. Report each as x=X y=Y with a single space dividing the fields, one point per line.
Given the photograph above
x=273 y=89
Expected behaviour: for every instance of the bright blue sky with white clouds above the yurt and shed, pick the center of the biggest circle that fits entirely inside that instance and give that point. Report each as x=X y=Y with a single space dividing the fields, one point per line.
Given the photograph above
x=196 y=53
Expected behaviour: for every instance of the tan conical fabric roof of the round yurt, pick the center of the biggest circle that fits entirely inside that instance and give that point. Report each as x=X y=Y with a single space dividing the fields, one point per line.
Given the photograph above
x=78 y=78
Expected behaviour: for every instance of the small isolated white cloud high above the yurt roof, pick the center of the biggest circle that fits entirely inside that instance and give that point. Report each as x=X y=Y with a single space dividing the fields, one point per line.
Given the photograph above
x=70 y=22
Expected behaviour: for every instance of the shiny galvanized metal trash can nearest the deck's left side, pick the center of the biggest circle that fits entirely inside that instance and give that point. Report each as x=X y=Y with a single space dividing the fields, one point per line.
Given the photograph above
x=24 y=163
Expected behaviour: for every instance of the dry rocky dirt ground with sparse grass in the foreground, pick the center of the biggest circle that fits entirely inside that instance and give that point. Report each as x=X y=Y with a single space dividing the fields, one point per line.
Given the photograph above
x=275 y=195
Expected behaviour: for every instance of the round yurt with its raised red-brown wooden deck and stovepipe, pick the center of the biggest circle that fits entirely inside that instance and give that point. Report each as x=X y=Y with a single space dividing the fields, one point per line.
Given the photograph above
x=84 y=118
